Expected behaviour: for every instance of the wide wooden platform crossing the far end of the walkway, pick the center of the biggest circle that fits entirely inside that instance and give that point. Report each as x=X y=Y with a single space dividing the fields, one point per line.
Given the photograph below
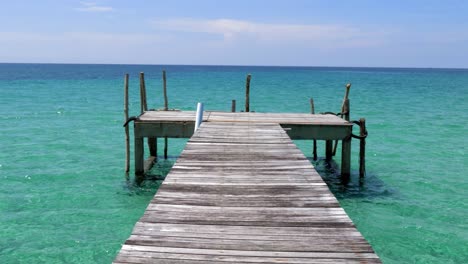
x=180 y=124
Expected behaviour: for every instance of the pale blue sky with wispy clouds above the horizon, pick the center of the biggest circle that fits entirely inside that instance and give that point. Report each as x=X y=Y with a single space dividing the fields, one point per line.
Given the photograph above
x=294 y=33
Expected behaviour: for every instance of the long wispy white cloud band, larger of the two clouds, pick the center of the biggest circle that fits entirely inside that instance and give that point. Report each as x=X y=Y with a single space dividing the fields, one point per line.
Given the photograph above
x=231 y=30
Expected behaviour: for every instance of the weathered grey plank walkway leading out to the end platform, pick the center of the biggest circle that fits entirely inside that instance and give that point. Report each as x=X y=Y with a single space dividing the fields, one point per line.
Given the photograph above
x=242 y=192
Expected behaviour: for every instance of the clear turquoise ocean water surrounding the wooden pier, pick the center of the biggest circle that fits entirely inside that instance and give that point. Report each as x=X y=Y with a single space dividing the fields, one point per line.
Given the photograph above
x=63 y=193
